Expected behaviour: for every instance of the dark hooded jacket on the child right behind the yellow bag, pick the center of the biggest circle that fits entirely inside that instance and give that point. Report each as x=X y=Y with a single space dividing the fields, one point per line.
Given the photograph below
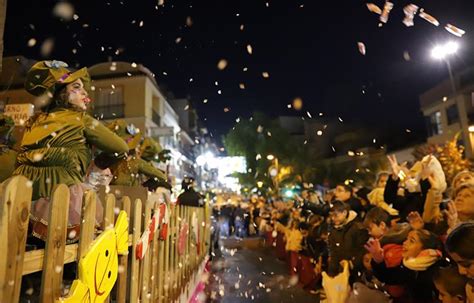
x=346 y=242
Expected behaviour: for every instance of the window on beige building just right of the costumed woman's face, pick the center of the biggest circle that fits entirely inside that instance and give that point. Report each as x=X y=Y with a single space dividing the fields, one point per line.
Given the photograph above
x=109 y=103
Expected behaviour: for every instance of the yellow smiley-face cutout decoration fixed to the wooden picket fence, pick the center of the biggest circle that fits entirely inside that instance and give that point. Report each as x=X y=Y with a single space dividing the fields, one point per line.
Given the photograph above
x=98 y=269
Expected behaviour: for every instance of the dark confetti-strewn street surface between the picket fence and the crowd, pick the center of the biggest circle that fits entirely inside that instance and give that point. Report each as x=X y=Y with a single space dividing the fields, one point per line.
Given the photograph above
x=250 y=272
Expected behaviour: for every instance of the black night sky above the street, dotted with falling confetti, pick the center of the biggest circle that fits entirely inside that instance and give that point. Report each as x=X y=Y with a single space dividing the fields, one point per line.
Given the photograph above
x=308 y=48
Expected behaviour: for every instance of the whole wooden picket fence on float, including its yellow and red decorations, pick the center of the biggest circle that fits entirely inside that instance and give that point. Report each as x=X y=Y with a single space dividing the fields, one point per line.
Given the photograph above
x=167 y=270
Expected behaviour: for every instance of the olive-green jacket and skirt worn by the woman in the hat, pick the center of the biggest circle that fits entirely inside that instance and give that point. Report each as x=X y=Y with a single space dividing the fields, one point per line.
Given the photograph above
x=57 y=149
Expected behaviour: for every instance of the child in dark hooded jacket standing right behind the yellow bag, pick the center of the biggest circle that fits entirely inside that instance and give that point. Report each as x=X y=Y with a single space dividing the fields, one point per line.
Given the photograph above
x=346 y=238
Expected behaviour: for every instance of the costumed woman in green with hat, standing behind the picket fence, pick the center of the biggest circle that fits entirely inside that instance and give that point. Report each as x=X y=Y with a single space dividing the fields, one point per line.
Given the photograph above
x=57 y=144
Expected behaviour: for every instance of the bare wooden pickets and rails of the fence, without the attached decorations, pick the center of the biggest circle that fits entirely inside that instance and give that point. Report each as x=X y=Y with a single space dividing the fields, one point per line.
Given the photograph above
x=163 y=275
